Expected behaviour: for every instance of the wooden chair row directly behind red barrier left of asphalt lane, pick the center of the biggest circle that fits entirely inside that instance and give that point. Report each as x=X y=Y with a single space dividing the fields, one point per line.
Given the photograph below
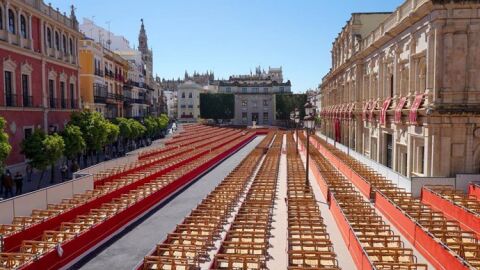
x=82 y=223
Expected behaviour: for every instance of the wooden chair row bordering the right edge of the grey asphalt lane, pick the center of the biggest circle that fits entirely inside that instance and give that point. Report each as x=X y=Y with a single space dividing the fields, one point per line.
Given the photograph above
x=188 y=246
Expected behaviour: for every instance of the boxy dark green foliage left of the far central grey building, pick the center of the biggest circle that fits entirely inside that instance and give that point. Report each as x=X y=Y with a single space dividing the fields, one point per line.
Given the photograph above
x=217 y=106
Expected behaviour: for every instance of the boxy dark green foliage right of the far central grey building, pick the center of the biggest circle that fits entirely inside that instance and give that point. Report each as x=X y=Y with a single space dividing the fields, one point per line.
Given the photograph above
x=286 y=103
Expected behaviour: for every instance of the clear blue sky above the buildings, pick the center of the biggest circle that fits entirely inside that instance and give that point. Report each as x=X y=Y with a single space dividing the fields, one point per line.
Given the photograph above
x=232 y=36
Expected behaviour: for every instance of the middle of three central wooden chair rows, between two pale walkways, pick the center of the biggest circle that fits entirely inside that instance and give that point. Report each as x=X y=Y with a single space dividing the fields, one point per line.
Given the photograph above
x=247 y=241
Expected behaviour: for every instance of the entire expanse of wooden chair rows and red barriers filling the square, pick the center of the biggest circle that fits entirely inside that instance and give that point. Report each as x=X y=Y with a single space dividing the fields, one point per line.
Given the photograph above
x=261 y=215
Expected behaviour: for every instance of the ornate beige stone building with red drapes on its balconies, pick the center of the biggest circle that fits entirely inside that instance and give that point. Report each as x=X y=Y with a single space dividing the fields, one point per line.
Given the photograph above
x=404 y=87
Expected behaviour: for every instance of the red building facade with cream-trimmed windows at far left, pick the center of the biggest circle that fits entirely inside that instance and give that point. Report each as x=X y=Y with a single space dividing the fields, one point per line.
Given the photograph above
x=39 y=78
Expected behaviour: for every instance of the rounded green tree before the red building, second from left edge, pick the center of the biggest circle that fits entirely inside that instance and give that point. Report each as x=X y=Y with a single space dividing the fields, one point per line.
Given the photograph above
x=42 y=150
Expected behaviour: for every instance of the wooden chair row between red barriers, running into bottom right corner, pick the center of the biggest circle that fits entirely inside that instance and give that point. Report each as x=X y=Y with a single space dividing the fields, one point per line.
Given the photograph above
x=449 y=232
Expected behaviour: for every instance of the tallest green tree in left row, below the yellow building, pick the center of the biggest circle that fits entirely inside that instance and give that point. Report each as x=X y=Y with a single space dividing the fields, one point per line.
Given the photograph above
x=94 y=127
